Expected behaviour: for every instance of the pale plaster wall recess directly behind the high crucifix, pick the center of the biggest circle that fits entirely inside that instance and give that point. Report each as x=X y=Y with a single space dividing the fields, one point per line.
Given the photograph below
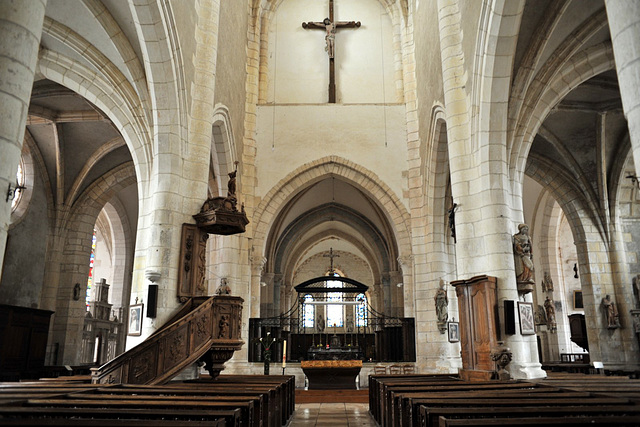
x=298 y=71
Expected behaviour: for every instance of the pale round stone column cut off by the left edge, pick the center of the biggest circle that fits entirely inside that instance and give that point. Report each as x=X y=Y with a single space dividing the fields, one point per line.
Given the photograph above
x=20 y=30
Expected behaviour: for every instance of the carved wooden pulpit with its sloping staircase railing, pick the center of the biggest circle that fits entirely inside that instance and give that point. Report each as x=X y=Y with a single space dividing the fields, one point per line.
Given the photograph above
x=208 y=332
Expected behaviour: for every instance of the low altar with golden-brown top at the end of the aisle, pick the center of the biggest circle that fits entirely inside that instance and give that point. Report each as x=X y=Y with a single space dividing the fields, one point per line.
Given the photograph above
x=331 y=374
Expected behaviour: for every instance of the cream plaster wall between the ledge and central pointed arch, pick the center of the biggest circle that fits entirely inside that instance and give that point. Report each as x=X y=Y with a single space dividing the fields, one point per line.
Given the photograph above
x=291 y=136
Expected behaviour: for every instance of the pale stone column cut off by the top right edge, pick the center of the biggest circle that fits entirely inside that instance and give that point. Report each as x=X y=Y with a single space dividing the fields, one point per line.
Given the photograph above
x=624 y=25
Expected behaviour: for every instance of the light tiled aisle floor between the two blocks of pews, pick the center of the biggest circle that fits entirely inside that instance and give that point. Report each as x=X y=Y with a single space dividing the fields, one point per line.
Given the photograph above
x=332 y=414
